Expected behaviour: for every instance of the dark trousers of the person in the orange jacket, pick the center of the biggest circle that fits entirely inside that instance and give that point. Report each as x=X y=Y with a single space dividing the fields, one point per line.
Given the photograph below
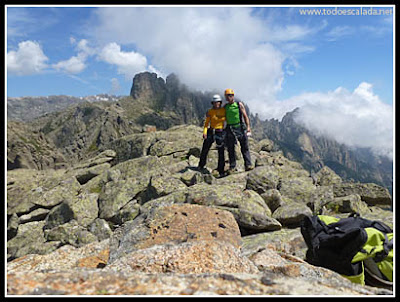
x=219 y=138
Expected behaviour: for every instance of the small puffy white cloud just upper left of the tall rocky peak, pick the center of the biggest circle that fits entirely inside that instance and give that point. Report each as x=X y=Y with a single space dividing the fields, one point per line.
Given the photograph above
x=128 y=63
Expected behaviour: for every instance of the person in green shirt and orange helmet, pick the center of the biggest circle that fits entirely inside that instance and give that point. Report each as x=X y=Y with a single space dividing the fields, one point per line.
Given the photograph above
x=237 y=128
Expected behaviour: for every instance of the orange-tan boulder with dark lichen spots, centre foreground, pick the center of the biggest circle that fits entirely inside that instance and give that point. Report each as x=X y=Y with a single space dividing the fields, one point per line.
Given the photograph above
x=175 y=223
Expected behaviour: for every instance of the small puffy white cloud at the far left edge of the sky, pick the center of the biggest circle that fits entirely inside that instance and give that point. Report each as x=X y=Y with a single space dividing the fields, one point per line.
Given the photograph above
x=28 y=59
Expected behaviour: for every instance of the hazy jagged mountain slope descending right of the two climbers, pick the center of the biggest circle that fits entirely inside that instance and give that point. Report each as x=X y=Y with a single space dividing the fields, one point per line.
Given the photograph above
x=314 y=152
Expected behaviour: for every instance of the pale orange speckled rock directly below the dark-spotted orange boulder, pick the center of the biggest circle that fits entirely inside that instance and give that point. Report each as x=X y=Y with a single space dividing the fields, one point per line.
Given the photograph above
x=194 y=257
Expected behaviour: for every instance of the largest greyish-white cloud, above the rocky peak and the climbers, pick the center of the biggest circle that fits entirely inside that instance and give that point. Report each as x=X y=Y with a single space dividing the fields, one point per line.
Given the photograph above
x=210 y=48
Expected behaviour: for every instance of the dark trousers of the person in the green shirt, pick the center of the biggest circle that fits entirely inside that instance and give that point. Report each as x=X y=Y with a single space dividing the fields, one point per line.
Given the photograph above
x=233 y=135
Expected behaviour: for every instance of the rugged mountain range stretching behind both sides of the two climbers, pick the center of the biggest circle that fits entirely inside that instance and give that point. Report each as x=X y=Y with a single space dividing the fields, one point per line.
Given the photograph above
x=64 y=129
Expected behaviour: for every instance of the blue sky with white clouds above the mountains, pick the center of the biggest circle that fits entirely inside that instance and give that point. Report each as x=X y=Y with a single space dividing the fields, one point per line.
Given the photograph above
x=276 y=58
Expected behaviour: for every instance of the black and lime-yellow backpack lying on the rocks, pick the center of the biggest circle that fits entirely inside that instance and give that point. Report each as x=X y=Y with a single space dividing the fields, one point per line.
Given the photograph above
x=357 y=248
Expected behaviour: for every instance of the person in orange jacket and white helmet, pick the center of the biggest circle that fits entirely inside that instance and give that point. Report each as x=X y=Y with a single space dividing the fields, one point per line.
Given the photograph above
x=214 y=131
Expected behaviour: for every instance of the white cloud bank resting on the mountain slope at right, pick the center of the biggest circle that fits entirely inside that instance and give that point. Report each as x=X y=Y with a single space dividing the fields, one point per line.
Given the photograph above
x=358 y=118
